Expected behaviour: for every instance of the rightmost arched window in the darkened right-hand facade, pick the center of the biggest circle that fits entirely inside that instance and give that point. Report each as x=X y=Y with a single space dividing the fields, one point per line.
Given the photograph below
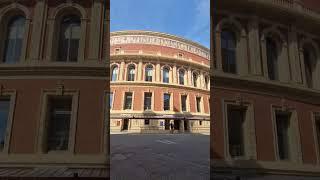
x=309 y=64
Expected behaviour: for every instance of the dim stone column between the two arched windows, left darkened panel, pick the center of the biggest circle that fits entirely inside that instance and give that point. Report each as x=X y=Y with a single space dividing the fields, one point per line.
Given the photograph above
x=37 y=33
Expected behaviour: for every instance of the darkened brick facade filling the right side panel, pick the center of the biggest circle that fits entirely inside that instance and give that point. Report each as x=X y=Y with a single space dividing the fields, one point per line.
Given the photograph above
x=266 y=88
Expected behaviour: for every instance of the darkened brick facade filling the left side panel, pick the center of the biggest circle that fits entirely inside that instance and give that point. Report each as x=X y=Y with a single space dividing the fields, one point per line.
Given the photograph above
x=53 y=79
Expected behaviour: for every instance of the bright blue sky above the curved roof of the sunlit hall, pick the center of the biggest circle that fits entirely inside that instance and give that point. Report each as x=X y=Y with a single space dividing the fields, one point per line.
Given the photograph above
x=186 y=18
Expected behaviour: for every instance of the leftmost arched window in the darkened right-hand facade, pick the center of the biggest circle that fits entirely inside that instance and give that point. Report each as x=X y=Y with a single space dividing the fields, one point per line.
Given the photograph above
x=228 y=51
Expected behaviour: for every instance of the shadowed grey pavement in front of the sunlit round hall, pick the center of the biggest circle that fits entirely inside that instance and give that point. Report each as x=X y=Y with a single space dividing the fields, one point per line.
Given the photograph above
x=160 y=157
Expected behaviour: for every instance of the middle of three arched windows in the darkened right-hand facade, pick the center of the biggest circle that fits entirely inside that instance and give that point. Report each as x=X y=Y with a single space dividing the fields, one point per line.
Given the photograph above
x=272 y=59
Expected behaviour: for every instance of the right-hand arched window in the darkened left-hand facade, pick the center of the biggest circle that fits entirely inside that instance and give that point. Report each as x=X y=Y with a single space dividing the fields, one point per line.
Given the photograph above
x=69 y=39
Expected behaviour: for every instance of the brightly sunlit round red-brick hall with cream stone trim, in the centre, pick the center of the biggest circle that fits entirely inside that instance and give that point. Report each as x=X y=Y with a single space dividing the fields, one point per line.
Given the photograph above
x=158 y=79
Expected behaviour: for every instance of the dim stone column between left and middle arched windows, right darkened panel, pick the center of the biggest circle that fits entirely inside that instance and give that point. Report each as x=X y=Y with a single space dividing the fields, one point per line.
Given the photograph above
x=254 y=47
